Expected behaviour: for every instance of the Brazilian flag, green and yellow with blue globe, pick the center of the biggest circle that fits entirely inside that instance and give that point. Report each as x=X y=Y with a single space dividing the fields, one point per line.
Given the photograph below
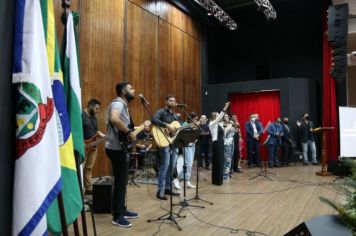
x=72 y=199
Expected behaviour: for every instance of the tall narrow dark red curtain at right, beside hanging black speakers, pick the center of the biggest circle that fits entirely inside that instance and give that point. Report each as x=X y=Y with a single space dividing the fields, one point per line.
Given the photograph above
x=330 y=117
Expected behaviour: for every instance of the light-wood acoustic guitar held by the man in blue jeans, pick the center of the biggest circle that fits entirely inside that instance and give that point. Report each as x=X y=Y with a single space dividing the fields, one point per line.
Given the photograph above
x=165 y=137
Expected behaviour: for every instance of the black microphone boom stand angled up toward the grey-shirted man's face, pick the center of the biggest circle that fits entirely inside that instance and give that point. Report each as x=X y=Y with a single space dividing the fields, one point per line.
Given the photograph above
x=170 y=215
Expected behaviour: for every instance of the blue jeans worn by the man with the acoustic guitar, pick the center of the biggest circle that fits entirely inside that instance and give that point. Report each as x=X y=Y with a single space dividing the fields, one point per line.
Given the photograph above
x=164 y=172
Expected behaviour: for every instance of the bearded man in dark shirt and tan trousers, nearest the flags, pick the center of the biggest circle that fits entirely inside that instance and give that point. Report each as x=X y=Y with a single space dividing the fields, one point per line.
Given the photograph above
x=90 y=131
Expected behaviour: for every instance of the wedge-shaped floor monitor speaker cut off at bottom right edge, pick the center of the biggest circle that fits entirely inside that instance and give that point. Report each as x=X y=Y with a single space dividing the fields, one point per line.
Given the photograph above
x=328 y=225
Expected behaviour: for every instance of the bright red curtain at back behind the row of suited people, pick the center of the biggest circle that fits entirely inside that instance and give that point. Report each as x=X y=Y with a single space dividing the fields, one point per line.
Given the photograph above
x=266 y=104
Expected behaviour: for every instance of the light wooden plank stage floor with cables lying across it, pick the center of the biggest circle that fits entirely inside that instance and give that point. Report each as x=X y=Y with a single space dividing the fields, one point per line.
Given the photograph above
x=269 y=207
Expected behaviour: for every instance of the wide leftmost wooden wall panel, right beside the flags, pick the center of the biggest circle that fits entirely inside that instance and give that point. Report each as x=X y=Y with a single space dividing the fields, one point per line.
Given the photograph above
x=101 y=37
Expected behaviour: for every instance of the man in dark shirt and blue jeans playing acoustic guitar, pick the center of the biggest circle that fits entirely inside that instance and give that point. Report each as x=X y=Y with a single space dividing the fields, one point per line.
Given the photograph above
x=163 y=118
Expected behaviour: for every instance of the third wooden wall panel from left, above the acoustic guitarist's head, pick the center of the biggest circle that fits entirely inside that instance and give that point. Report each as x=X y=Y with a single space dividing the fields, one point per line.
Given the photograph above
x=170 y=62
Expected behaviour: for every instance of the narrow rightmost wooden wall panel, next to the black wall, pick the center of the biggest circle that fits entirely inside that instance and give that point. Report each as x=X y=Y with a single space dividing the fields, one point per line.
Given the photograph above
x=191 y=73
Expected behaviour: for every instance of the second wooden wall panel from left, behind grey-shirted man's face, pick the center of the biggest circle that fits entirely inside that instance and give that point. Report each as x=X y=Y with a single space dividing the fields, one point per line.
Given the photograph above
x=141 y=58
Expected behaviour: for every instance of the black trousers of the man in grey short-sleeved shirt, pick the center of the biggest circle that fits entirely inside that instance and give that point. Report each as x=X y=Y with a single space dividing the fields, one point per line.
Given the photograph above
x=120 y=166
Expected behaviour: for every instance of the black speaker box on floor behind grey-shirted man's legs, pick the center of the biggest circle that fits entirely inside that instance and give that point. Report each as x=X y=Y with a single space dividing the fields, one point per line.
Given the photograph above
x=102 y=190
